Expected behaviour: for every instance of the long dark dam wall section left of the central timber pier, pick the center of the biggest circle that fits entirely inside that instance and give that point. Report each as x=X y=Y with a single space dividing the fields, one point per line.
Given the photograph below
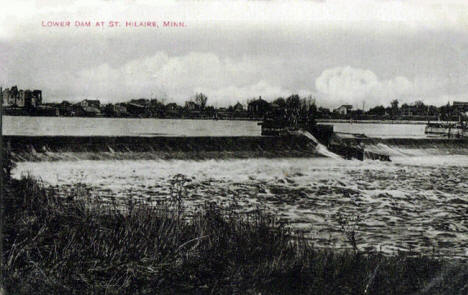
x=44 y=148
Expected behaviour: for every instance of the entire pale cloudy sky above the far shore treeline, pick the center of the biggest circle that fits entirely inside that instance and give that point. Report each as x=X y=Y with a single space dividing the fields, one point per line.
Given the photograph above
x=364 y=52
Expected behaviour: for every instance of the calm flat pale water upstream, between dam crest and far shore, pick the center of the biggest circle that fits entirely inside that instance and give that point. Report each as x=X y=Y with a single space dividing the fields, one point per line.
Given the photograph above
x=76 y=126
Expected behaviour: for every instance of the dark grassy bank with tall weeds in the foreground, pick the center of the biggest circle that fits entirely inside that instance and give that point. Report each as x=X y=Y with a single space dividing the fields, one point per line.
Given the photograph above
x=56 y=245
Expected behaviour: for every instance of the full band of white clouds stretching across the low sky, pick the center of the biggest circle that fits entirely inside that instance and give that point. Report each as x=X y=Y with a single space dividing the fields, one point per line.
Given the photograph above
x=227 y=80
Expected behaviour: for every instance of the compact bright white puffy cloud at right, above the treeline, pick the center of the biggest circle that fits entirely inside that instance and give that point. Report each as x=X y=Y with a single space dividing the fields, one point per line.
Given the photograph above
x=355 y=85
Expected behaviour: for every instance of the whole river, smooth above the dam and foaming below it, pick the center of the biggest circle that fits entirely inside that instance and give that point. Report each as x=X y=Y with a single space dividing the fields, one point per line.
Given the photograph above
x=418 y=202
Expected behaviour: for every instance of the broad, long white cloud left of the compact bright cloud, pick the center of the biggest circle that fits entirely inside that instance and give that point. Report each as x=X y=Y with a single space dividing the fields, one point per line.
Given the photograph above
x=223 y=80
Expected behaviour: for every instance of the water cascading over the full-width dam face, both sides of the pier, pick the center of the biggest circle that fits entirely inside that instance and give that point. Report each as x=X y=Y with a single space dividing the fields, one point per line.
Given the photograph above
x=299 y=144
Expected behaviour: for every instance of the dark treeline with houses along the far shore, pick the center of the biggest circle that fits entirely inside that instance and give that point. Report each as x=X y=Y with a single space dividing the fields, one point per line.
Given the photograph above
x=255 y=109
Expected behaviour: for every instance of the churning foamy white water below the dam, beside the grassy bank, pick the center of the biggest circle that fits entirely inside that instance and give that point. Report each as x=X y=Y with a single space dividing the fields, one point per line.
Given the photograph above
x=411 y=203
